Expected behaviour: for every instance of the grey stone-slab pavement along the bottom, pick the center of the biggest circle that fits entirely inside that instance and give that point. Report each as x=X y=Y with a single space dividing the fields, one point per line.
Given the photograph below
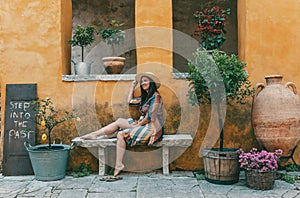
x=152 y=185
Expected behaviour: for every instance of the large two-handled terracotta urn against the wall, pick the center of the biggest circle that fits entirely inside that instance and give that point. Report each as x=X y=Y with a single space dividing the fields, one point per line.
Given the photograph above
x=276 y=115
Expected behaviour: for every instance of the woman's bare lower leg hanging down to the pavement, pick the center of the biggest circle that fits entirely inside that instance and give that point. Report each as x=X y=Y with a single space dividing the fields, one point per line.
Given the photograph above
x=120 y=151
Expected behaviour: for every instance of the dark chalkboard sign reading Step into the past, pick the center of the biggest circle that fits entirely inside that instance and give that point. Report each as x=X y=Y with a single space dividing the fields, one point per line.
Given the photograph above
x=18 y=128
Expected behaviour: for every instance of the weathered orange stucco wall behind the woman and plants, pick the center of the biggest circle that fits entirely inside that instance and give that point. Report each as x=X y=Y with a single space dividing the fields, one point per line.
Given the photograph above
x=33 y=46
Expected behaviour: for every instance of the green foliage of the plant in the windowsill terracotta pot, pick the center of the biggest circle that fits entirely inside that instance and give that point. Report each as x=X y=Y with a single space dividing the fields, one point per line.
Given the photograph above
x=113 y=34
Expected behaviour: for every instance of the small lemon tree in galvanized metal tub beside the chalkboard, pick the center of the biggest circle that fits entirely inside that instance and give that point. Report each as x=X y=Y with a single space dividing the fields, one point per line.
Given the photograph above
x=49 y=161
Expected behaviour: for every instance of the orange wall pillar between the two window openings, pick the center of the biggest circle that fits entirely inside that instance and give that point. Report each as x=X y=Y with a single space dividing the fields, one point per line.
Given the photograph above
x=154 y=35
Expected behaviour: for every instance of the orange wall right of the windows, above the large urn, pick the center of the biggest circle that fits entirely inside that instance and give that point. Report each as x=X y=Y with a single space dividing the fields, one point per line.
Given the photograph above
x=269 y=38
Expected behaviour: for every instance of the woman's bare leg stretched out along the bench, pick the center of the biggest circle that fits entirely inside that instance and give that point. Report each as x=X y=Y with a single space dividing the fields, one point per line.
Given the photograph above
x=109 y=129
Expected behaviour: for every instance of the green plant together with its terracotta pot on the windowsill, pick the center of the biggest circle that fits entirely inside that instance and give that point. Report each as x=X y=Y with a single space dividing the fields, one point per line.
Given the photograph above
x=113 y=36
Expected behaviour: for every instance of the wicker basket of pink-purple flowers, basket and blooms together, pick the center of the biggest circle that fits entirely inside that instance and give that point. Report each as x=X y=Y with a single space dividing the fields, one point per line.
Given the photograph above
x=260 y=167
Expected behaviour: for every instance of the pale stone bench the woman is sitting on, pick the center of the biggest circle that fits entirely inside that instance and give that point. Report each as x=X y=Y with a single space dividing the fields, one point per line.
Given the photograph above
x=176 y=140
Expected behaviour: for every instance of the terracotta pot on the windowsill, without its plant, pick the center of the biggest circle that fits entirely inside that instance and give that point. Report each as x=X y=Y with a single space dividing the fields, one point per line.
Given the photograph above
x=113 y=65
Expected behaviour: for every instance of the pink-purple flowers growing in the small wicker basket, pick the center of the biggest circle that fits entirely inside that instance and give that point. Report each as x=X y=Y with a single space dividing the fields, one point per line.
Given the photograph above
x=260 y=161
